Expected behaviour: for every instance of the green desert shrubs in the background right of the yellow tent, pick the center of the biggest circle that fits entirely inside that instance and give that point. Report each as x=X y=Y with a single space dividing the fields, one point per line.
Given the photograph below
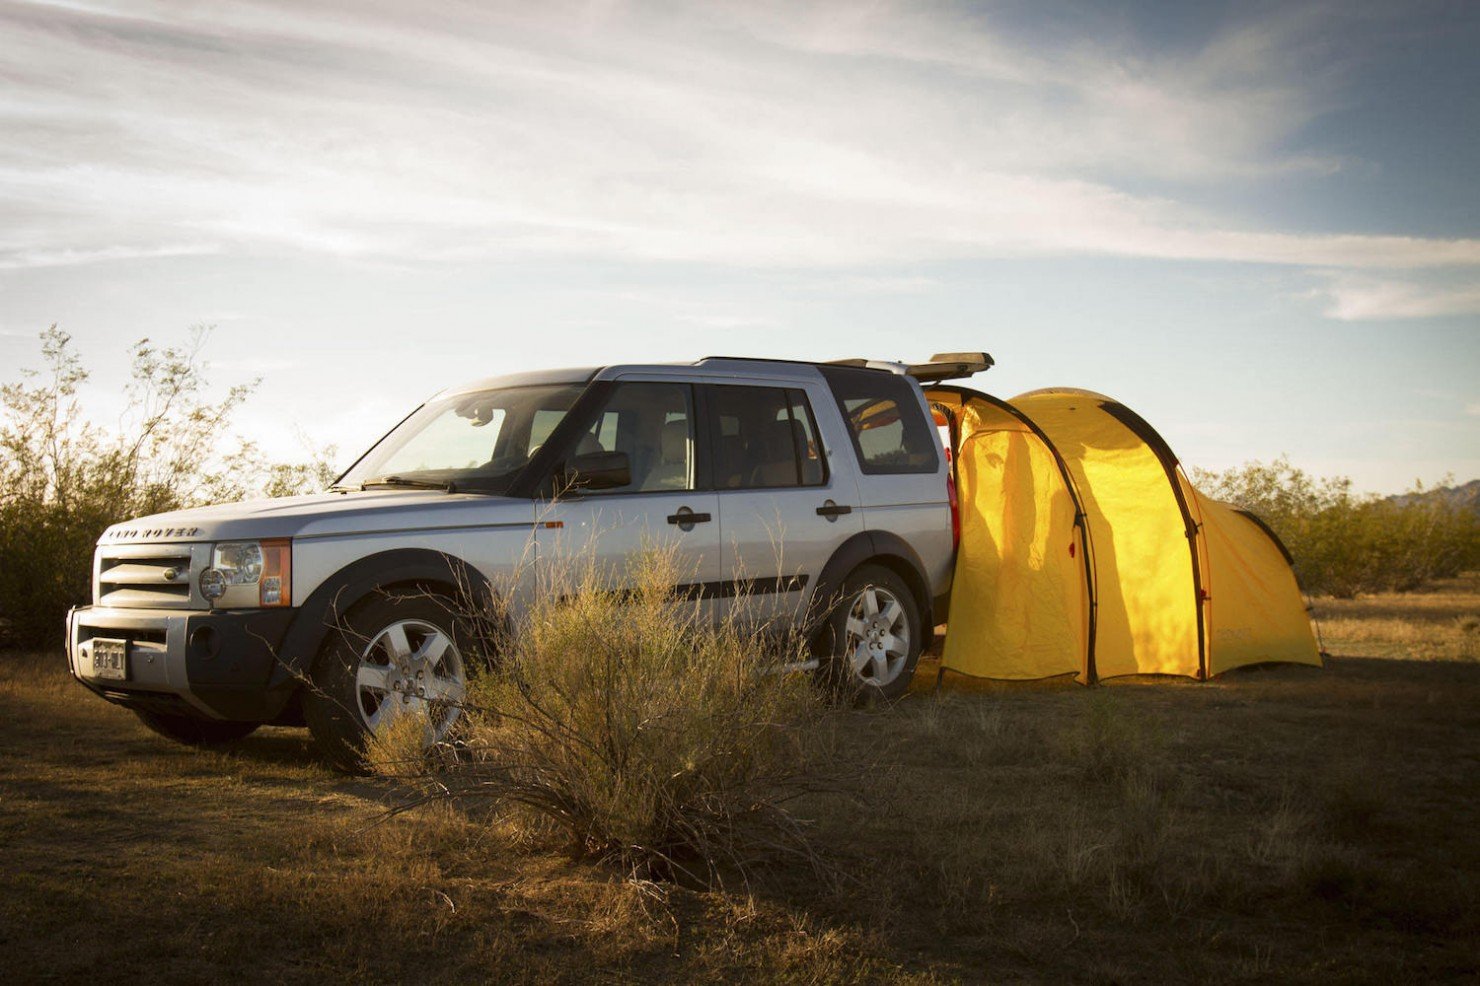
x=1345 y=543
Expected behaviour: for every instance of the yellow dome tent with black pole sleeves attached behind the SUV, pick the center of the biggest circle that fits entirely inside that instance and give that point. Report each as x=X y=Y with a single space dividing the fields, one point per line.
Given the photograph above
x=1087 y=551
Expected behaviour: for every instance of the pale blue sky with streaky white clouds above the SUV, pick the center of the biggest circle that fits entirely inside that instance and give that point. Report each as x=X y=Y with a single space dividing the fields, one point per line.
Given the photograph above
x=1257 y=224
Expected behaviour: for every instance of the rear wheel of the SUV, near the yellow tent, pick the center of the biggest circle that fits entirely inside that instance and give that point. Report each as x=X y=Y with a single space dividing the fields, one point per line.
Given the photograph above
x=874 y=636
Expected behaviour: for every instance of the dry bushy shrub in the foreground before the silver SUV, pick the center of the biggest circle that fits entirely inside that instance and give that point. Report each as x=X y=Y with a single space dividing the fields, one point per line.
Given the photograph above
x=624 y=728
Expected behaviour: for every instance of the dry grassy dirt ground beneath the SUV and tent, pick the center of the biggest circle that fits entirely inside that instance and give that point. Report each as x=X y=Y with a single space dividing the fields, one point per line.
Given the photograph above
x=1281 y=824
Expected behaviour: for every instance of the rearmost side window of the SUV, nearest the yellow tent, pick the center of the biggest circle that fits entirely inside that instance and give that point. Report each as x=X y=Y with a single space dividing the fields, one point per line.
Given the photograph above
x=884 y=417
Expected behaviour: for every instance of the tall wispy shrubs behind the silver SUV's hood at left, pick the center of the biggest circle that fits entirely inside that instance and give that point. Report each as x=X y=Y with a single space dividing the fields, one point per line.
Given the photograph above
x=64 y=480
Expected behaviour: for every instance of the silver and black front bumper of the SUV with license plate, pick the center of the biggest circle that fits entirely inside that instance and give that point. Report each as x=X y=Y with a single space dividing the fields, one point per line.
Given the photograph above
x=221 y=665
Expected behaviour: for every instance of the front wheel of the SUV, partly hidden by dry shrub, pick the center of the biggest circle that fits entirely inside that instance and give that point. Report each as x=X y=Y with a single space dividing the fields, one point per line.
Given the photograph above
x=396 y=655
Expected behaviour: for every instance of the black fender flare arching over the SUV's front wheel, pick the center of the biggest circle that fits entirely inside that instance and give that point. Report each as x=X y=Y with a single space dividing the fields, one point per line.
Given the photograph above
x=341 y=593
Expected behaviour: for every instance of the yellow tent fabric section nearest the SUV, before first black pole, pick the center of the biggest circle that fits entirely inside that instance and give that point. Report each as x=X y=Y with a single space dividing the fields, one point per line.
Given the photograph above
x=1020 y=537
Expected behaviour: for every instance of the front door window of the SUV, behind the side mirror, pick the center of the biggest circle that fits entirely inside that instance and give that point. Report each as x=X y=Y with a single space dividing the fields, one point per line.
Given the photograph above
x=653 y=424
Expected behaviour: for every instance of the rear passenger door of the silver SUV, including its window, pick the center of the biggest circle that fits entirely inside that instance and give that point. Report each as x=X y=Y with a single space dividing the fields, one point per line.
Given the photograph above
x=787 y=501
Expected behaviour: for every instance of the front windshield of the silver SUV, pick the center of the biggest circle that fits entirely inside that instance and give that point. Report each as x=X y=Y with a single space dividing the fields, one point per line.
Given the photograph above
x=474 y=443
